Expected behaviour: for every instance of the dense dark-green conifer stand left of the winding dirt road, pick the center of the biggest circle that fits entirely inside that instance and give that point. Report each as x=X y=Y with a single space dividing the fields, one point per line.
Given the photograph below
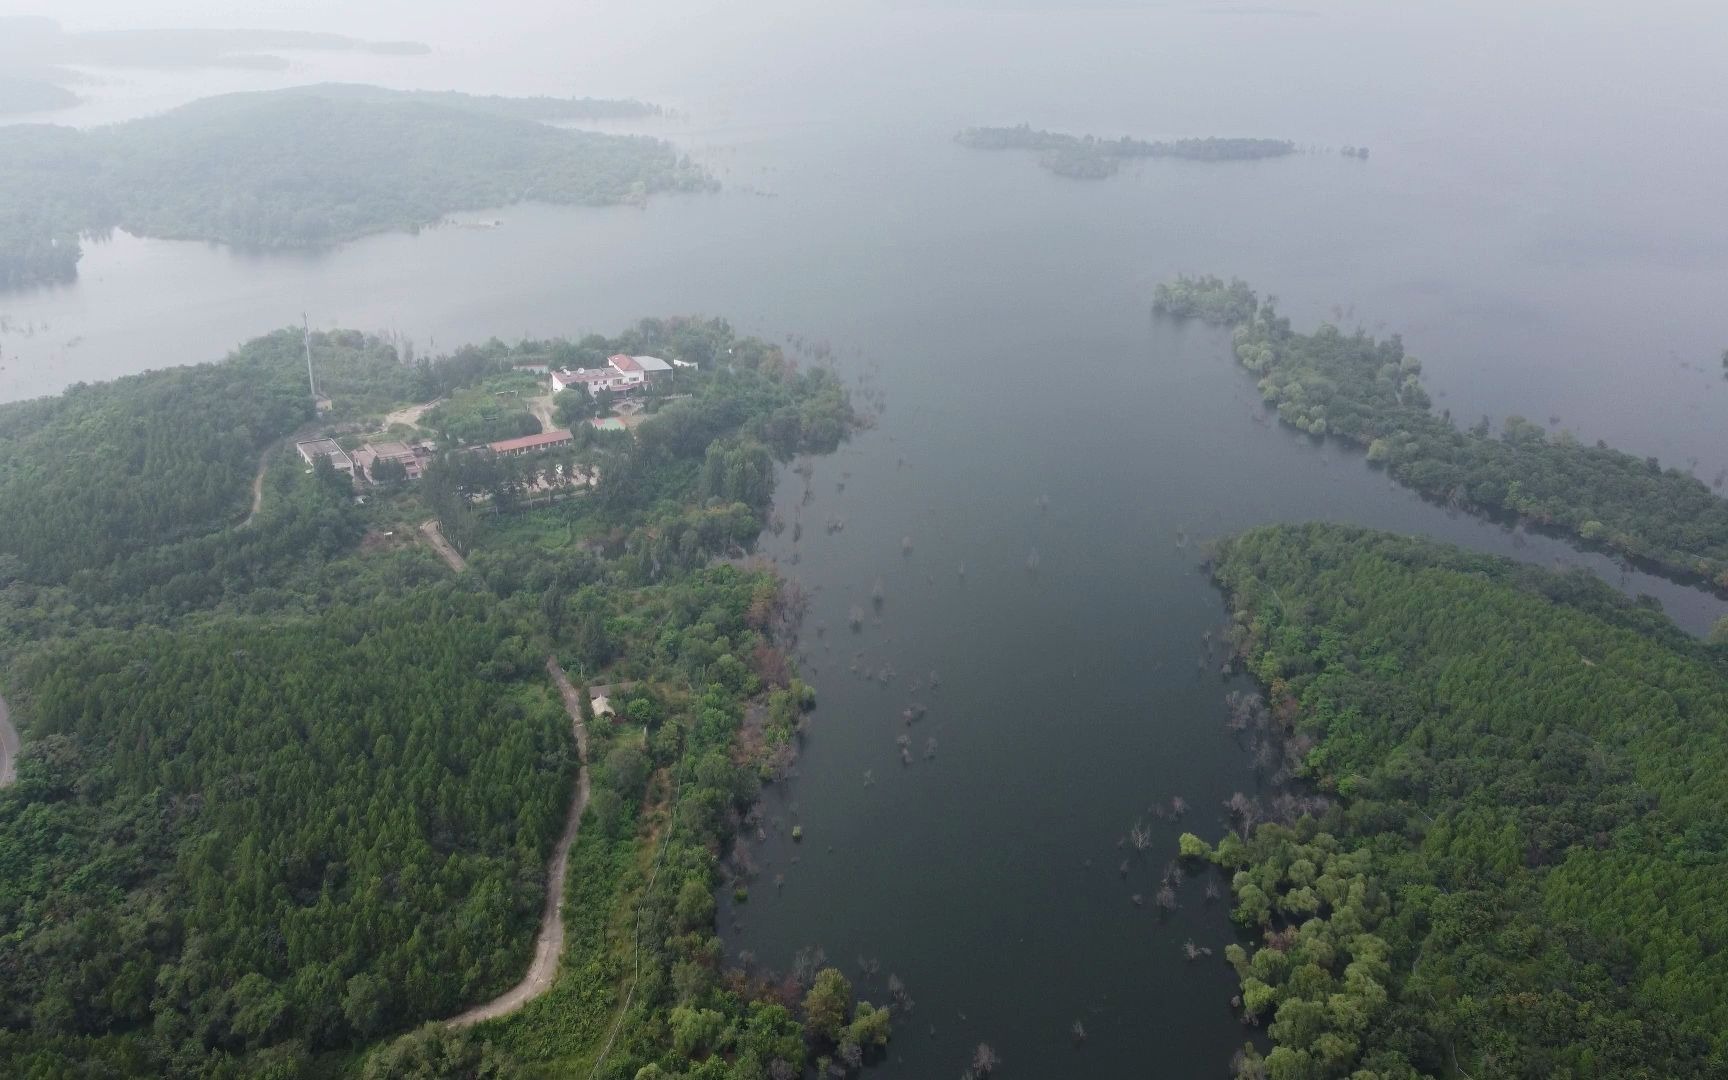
x=274 y=839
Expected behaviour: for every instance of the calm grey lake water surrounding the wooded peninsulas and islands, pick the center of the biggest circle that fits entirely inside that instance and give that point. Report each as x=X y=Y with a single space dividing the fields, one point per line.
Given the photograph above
x=1539 y=219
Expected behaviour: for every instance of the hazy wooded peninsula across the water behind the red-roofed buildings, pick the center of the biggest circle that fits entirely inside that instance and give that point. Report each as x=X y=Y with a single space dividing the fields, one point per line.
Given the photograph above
x=312 y=167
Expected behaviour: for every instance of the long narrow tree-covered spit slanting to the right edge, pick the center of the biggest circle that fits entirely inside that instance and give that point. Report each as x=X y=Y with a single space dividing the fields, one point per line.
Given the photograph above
x=1369 y=393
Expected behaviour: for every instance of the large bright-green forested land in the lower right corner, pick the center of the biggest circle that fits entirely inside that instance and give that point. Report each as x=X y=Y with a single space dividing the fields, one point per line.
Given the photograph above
x=1513 y=858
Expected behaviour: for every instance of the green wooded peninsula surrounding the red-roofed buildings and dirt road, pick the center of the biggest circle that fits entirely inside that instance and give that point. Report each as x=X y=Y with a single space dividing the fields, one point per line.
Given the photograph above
x=291 y=778
